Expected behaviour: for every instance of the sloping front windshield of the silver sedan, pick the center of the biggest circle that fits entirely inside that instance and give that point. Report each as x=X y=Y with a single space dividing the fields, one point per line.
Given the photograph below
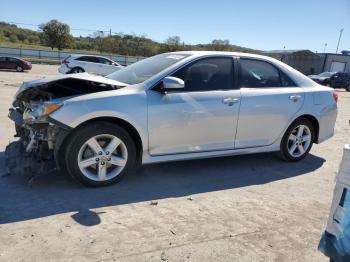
x=145 y=69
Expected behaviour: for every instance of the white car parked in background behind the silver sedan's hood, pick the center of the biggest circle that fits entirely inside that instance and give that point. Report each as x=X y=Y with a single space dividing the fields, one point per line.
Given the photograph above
x=88 y=63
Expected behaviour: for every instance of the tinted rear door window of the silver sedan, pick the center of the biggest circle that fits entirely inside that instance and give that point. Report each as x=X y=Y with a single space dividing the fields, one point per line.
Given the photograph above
x=260 y=74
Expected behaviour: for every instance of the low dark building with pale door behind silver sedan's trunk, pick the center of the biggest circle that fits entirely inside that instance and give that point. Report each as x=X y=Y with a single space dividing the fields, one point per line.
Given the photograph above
x=310 y=63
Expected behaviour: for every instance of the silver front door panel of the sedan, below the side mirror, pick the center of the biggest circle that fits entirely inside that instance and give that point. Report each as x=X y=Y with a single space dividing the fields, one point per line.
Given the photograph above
x=185 y=122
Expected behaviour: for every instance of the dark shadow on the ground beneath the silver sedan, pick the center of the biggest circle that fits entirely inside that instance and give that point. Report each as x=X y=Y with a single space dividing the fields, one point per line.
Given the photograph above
x=55 y=194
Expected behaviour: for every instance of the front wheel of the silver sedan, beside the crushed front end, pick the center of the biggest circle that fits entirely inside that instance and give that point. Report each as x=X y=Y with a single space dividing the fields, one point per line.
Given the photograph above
x=100 y=154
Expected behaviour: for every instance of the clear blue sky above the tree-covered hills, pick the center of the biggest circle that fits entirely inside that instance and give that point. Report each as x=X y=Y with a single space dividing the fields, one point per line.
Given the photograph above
x=258 y=24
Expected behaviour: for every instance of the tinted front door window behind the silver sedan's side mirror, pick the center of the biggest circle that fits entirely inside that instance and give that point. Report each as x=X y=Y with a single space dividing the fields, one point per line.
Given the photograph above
x=207 y=74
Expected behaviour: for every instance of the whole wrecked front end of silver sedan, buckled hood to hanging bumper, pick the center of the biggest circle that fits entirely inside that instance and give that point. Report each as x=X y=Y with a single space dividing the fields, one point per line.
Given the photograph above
x=40 y=137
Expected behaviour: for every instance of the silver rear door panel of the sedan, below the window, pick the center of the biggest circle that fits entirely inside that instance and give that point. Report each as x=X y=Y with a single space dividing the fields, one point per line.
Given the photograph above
x=265 y=113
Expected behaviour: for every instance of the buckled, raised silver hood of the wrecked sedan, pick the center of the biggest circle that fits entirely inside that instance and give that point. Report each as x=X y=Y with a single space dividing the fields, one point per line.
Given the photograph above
x=80 y=76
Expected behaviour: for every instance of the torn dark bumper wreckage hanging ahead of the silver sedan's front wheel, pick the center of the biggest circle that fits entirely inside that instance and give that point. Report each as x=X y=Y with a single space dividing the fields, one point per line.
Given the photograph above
x=36 y=151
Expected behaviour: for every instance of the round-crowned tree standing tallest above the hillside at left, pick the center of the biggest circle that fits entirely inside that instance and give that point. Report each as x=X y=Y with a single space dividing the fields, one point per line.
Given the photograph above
x=56 y=34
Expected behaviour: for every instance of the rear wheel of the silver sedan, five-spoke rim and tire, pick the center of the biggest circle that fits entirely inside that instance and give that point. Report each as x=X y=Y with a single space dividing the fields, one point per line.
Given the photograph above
x=298 y=140
